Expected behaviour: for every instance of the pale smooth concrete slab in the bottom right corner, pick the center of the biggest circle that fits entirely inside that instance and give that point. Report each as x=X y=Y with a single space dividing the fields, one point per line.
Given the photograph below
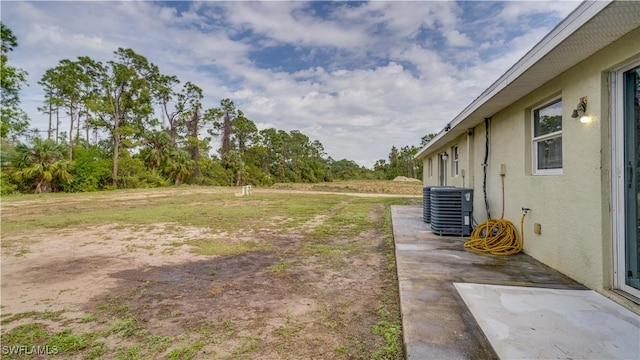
x=537 y=323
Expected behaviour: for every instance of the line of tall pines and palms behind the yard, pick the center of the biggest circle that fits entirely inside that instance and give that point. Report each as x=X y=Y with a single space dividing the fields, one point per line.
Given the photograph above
x=125 y=124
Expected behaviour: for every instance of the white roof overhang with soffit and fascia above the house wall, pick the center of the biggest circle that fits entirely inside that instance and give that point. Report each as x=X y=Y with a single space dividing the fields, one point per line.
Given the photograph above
x=603 y=28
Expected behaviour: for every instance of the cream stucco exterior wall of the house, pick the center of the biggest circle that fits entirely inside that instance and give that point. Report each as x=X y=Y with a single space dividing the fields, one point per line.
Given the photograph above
x=573 y=208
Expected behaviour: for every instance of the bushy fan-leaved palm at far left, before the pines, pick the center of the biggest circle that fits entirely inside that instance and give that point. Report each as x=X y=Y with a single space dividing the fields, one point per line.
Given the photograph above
x=44 y=164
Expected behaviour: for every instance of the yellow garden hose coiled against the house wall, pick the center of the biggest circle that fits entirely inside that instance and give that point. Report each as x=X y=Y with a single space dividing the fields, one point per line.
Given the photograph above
x=497 y=237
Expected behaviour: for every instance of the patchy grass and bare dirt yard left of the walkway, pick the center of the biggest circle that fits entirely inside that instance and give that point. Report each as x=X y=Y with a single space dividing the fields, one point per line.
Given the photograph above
x=200 y=273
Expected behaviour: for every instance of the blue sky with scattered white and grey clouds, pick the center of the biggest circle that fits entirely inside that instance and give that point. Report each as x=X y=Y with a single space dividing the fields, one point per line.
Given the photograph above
x=358 y=76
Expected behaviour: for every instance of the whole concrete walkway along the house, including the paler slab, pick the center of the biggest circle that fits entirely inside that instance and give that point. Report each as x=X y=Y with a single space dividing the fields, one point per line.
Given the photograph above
x=457 y=304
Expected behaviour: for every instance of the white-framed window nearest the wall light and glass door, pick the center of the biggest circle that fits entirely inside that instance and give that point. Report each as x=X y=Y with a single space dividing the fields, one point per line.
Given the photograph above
x=547 y=139
